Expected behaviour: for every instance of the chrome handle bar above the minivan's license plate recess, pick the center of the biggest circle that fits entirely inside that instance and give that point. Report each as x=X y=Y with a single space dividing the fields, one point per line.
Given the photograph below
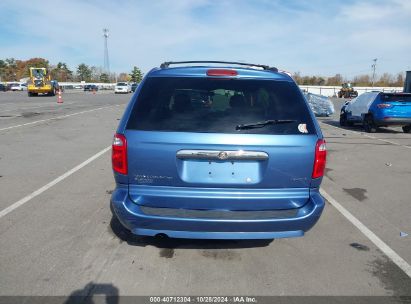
x=222 y=155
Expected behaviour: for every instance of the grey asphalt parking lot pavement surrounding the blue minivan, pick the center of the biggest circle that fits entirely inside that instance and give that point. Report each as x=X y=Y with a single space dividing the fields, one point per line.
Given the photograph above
x=59 y=237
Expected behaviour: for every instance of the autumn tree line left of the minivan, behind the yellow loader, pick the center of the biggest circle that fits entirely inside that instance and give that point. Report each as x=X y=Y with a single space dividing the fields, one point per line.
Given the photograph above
x=14 y=70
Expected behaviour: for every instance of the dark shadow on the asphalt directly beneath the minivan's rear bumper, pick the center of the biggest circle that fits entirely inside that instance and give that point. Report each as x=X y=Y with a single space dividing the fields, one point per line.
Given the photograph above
x=170 y=243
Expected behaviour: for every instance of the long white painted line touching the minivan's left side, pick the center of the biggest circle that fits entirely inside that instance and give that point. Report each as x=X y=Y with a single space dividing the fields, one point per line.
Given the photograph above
x=39 y=191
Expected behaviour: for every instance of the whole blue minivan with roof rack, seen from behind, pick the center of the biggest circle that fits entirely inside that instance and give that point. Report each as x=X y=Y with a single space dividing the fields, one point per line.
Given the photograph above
x=218 y=150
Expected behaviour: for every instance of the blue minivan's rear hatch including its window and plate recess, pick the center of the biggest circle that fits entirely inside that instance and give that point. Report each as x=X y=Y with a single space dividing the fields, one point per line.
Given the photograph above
x=206 y=143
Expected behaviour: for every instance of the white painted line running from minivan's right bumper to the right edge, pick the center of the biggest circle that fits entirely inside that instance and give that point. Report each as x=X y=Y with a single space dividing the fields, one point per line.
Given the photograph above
x=387 y=250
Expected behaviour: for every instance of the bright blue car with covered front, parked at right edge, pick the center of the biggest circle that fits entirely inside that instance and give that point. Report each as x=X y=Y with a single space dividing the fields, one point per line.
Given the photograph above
x=378 y=109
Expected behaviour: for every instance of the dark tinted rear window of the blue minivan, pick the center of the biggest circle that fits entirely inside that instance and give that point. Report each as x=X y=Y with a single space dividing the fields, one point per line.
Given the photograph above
x=219 y=105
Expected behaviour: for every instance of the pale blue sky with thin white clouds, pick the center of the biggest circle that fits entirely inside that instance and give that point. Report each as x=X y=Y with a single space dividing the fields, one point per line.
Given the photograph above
x=316 y=37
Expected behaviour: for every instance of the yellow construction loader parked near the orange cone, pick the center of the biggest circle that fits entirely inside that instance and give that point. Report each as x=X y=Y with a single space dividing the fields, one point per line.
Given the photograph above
x=40 y=83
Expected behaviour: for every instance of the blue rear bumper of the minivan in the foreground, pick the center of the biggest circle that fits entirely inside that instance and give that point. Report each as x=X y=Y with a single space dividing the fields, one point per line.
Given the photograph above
x=292 y=223
